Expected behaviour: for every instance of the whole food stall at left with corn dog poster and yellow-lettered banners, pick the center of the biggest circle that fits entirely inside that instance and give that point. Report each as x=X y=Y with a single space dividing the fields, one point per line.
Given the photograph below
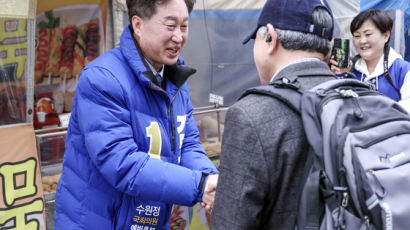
x=43 y=47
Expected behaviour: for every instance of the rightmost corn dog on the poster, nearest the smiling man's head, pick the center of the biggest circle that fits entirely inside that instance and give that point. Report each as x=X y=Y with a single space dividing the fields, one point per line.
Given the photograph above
x=92 y=38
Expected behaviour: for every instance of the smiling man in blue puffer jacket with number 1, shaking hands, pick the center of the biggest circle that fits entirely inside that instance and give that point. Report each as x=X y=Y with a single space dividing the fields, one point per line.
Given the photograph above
x=133 y=147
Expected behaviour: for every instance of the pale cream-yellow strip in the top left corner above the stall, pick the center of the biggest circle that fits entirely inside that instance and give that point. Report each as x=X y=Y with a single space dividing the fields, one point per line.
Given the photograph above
x=17 y=8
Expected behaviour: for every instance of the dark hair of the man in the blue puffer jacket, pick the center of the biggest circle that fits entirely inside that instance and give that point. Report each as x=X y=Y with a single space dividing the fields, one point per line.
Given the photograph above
x=147 y=8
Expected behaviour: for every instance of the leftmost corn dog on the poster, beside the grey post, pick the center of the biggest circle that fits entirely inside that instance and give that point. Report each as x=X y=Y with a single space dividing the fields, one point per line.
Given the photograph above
x=42 y=53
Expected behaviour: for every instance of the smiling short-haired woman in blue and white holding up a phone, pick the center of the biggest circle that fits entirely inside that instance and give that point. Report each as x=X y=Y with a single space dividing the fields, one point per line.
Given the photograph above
x=377 y=62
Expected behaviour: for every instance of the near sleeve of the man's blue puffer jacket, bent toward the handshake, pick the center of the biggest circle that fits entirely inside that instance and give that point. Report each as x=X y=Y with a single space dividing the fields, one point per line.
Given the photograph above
x=105 y=122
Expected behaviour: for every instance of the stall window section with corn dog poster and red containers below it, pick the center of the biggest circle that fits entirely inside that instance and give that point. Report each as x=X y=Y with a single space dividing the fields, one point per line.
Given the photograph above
x=70 y=35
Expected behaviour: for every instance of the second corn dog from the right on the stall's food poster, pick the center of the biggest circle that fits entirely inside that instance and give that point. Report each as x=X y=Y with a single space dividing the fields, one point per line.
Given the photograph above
x=79 y=50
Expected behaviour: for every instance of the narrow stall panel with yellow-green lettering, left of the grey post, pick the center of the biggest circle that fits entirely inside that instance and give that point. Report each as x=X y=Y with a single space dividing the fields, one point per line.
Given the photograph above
x=13 y=58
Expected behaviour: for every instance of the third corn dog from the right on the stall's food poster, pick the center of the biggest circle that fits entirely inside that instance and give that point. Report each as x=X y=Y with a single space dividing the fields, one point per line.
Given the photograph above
x=67 y=51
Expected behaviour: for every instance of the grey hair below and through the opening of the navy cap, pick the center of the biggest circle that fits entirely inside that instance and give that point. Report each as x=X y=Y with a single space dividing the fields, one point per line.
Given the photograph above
x=295 y=40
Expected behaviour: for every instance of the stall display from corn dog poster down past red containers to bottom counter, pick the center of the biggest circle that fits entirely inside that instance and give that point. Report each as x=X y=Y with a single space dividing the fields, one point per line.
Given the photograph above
x=69 y=35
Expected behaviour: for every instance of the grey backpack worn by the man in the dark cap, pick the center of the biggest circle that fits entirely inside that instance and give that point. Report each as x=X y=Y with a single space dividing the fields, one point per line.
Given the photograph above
x=358 y=168
